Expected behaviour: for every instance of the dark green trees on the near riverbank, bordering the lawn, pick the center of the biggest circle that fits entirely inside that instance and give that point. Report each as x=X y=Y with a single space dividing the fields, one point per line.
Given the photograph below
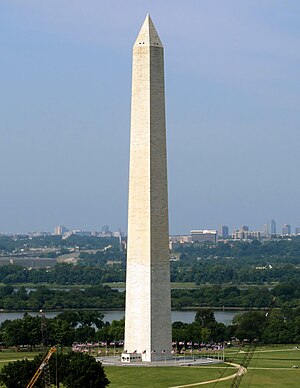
x=281 y=326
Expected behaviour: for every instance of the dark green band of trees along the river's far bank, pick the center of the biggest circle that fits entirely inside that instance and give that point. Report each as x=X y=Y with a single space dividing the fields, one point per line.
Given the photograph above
x=103 y=297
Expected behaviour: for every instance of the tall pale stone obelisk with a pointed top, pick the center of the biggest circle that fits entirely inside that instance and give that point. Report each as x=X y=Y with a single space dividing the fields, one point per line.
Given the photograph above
x=148 y=301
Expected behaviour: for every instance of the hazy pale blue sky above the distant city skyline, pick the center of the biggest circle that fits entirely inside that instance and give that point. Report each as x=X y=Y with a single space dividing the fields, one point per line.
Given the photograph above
x=233 y=111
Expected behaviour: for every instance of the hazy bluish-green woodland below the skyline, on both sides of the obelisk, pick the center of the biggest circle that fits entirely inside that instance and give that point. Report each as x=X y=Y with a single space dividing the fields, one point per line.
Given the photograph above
x=236 y=262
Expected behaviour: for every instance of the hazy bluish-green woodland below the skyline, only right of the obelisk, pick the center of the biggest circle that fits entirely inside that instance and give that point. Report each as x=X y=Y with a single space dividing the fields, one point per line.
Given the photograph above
x=238 y=262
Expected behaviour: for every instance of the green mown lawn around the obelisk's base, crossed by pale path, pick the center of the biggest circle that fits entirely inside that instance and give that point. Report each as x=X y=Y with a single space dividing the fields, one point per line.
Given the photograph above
x=270 y=366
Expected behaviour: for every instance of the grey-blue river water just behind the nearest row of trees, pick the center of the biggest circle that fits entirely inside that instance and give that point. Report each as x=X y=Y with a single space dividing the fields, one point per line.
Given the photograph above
x=183 y=316
